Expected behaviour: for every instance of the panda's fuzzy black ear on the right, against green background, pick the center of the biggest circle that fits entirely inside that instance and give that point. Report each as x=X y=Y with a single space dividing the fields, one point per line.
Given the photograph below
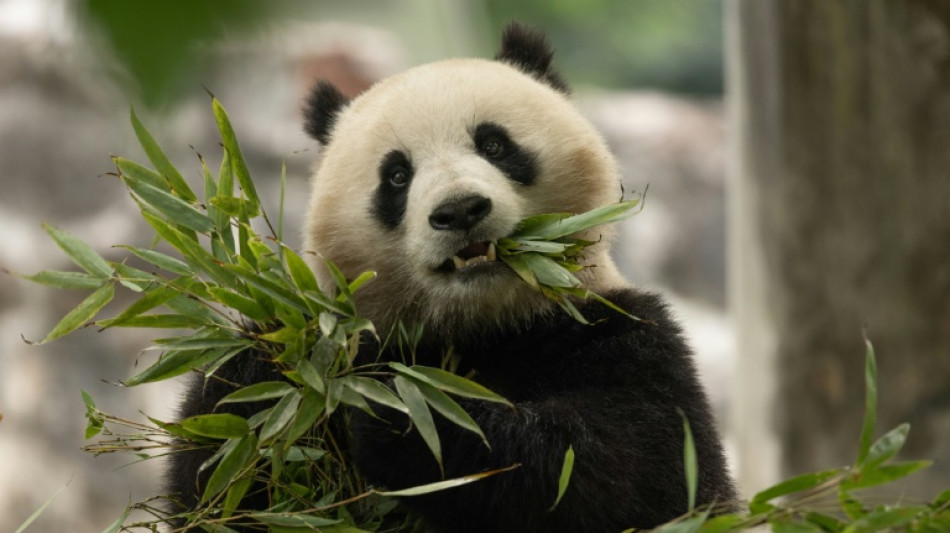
x=528 y=50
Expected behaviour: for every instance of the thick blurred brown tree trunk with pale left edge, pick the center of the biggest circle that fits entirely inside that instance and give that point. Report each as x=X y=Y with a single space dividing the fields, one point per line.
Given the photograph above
x=841 y=223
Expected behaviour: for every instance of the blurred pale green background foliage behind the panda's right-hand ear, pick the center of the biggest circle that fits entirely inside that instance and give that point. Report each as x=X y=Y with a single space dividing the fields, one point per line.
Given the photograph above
x=673 y=45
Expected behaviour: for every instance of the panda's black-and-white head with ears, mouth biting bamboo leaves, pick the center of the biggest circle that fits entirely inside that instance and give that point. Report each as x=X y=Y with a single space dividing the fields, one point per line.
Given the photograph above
x=421 y=174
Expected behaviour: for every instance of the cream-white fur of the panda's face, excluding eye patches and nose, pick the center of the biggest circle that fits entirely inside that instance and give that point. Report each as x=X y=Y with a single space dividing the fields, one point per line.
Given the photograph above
x=430 y=113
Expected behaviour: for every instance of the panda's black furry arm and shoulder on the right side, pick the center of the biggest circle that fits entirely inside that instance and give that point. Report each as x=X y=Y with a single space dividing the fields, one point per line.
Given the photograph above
x=611 y=391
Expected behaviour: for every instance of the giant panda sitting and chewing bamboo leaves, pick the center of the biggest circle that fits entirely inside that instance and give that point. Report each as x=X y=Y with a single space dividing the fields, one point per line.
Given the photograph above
x=419 y=176
